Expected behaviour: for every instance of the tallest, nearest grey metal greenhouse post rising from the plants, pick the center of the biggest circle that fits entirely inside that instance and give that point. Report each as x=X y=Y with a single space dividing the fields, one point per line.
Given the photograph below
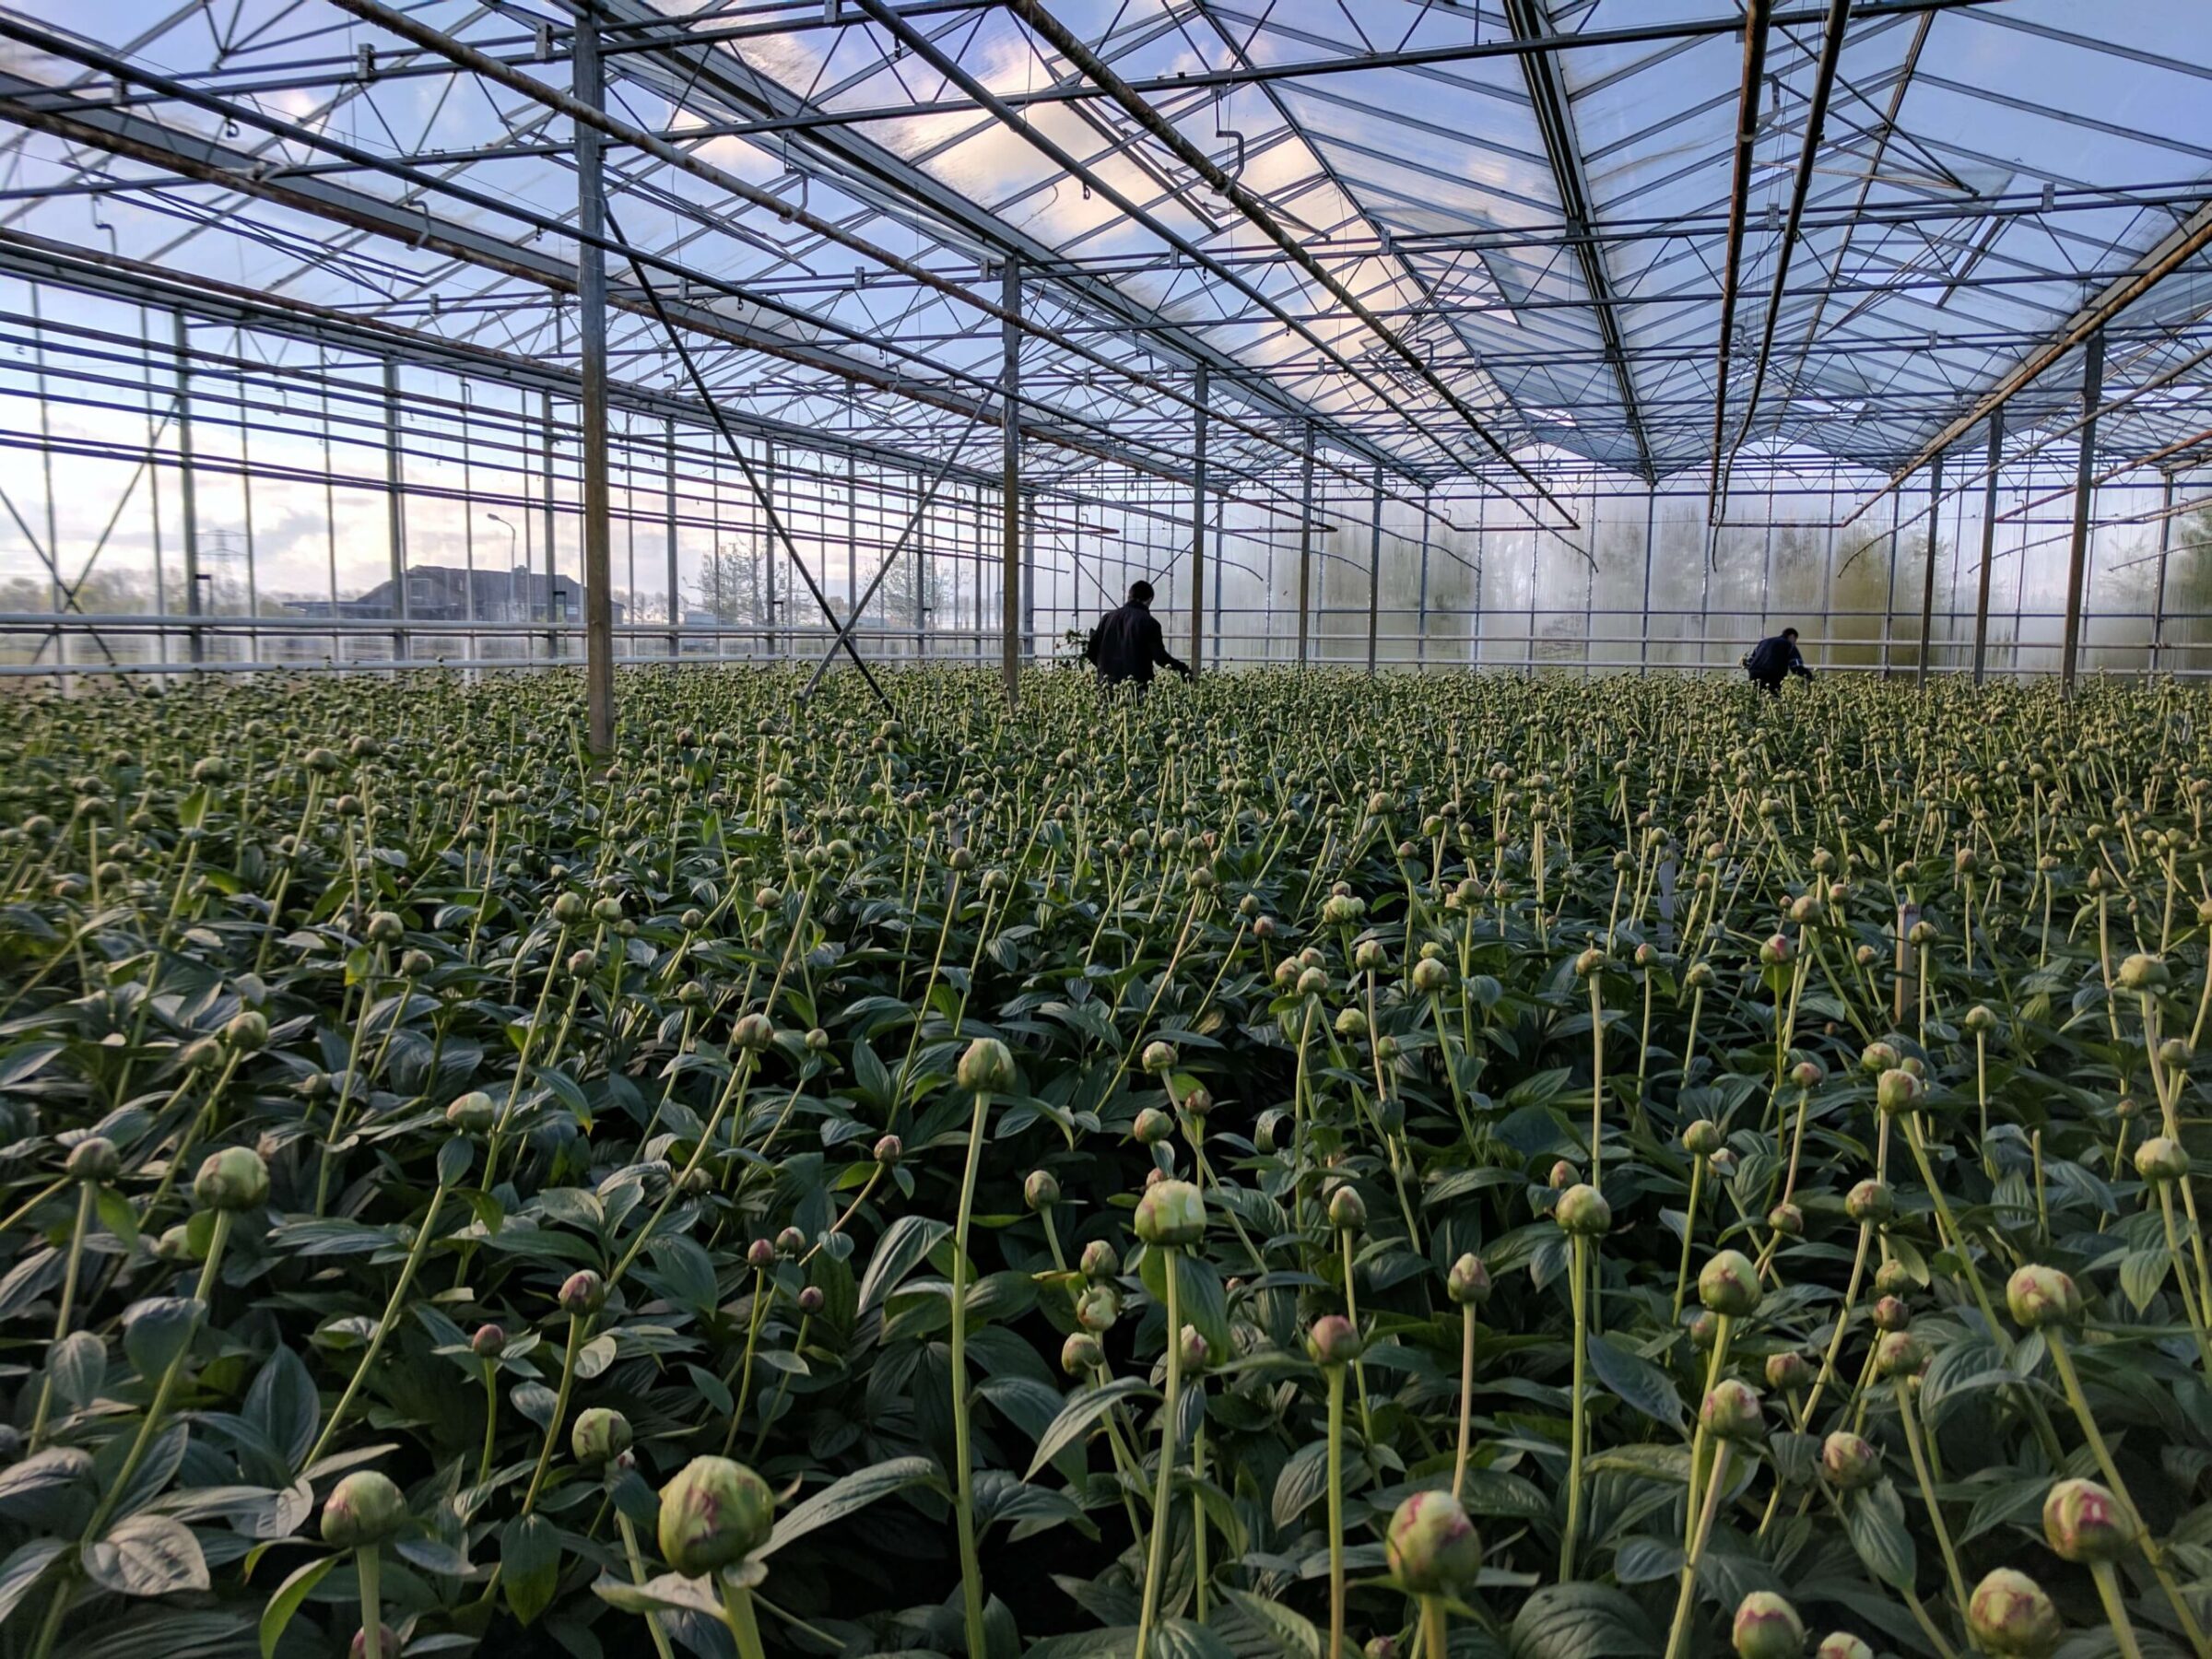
x=589 y=87
